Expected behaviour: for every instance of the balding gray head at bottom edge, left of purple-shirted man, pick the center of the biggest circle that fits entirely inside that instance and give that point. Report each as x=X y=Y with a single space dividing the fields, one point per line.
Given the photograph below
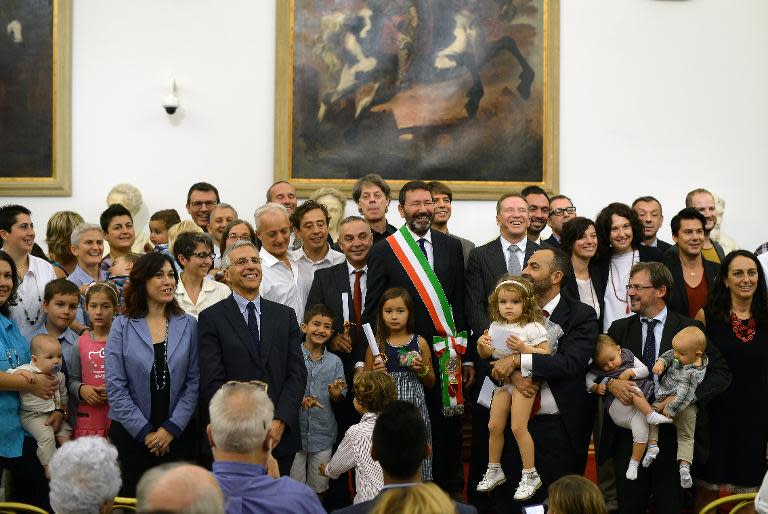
x=189 y=489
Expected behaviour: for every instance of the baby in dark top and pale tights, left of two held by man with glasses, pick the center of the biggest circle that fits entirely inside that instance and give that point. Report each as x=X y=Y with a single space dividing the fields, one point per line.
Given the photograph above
x=613 y=362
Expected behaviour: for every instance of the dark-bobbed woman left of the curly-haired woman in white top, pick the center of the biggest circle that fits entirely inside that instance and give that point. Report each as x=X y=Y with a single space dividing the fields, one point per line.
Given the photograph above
x=583 y=281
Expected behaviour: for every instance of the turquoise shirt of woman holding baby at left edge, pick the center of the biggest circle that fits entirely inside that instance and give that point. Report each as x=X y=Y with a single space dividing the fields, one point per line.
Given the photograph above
x=14 y=351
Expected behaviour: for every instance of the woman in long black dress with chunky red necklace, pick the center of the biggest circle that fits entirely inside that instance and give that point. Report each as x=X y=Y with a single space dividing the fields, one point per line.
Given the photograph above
x=736 y=319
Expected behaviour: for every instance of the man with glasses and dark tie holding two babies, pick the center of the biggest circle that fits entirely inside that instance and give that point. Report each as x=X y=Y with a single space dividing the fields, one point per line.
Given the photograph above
x=648 y=333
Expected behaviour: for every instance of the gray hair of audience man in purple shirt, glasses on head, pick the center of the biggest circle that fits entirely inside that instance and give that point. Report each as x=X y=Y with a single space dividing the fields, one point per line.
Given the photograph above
x=240 y=417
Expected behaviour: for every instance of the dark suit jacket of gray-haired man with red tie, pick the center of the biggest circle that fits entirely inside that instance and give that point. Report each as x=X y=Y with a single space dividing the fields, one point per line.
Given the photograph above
x=326 y=289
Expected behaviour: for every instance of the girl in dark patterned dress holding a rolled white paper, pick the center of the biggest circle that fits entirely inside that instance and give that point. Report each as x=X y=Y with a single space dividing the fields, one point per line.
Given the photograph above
x=407 y=356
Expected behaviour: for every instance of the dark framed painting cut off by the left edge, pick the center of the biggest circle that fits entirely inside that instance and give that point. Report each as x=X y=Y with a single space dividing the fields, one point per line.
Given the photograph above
x=35 y=97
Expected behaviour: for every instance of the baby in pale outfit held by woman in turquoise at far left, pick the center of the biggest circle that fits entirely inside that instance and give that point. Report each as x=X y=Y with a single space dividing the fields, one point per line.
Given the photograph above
x=35 y=411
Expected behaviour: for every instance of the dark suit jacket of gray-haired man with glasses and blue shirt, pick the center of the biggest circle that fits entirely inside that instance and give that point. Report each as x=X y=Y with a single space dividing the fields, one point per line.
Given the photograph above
x=227 y=353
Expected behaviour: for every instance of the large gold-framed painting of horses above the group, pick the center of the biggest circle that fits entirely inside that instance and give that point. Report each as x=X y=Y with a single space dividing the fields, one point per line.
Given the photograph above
x=462 y=91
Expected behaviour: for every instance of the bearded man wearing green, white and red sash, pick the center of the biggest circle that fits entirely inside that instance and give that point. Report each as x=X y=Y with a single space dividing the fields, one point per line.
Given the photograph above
x=393 y=264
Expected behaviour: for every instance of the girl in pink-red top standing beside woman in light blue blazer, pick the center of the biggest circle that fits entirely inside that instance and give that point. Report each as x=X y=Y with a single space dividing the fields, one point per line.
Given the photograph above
x=86 y=373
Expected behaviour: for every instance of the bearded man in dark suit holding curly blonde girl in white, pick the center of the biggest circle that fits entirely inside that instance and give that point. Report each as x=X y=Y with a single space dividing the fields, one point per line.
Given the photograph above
x=561 y=427
